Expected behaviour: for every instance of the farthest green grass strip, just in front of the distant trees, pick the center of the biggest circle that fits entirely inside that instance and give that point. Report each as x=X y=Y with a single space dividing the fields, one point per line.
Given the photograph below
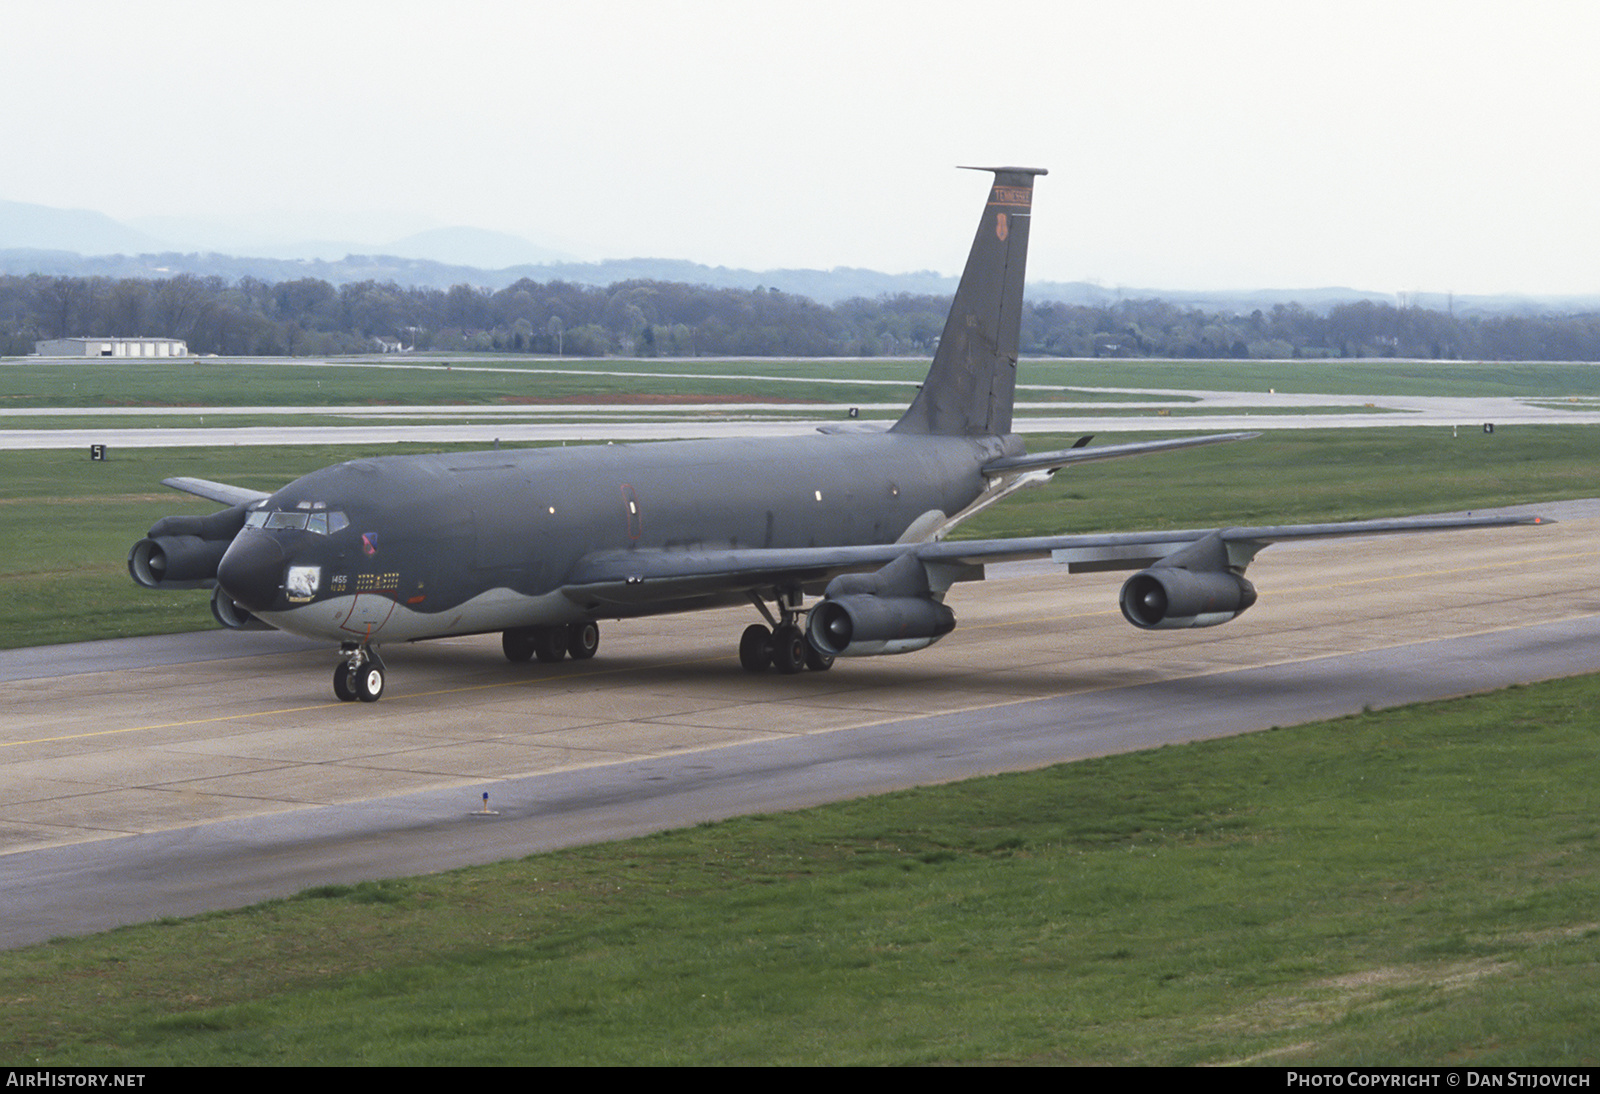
x=487 y=380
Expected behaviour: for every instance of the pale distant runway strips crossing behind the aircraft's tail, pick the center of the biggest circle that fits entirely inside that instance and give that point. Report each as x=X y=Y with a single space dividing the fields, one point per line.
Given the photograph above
x=1041 y=409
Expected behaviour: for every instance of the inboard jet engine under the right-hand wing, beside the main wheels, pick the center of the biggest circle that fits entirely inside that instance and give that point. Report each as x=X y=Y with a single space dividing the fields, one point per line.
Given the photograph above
x=884 y=613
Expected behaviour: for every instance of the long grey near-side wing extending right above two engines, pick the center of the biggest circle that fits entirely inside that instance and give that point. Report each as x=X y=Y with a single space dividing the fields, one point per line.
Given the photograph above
x=644 y=577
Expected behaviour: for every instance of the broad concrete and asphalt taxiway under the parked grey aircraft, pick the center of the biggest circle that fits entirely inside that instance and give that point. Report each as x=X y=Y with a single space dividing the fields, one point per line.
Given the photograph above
x=172 y=777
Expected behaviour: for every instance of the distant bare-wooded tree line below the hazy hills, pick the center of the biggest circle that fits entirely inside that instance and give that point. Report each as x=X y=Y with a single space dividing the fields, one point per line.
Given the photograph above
x=647 y=319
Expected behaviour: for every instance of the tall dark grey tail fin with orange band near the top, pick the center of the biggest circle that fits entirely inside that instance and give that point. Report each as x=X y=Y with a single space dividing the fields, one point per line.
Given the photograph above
x=972 y=385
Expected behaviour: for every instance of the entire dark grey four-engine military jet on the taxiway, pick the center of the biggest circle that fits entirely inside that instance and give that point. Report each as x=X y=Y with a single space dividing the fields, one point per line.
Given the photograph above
x=543 y=545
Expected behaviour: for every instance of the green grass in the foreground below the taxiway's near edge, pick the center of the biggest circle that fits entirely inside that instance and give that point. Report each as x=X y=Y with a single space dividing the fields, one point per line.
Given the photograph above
x=1410 y=887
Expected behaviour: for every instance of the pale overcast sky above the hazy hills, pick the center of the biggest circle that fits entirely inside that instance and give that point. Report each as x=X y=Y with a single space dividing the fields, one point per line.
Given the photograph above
x=1385 y=146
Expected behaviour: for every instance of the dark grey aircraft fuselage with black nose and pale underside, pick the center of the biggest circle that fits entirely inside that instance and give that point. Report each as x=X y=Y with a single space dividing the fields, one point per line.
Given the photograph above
x=489 y=541
